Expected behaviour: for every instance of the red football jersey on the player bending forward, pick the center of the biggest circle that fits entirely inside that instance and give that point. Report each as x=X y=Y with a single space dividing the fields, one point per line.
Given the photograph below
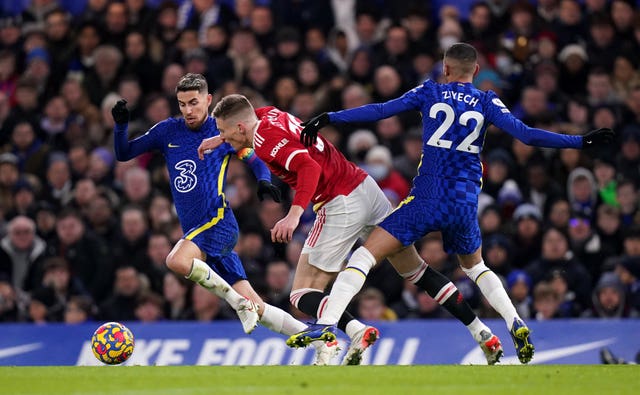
x=277 y=141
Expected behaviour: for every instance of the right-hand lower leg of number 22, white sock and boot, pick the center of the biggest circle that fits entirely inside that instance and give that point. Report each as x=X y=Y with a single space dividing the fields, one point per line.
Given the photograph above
x=493 y=290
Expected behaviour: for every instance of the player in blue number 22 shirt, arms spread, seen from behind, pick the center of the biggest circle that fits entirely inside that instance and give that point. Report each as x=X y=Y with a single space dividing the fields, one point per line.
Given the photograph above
x=444 y=196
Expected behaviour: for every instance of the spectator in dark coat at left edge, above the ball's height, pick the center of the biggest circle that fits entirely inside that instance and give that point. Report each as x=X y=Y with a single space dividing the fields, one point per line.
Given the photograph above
x=21 y=253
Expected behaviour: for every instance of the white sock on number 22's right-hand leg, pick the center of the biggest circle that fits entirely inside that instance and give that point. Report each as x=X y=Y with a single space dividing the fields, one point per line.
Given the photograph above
x=492 y=289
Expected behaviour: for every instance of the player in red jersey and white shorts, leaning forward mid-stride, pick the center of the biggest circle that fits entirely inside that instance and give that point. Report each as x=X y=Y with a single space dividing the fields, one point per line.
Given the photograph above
x=348 y=204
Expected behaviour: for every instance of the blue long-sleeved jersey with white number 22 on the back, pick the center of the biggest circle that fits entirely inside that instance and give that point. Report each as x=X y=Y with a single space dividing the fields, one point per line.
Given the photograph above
x=455 y=117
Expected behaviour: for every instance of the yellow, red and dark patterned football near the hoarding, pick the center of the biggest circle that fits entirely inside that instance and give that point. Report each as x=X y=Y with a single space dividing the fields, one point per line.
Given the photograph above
x=112 y=343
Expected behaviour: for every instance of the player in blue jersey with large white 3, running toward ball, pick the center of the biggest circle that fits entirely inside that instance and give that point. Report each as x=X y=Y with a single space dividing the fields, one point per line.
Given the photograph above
x=205 y=253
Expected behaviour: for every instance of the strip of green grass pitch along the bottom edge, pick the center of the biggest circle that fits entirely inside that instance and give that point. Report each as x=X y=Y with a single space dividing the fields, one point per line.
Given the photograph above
x=326 y=380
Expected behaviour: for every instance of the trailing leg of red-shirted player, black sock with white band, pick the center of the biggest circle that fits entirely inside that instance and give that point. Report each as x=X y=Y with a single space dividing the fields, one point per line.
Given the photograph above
x=413 y=268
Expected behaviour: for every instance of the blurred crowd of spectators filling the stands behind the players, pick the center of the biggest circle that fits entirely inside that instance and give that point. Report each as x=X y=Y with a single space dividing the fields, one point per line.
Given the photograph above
x=85 y=237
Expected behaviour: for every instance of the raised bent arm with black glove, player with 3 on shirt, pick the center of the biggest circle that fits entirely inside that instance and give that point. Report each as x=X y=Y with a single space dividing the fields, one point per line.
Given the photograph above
x=124 y=148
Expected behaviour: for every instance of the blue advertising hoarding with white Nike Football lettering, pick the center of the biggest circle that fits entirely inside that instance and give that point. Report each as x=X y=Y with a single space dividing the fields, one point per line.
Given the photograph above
x=402 y=343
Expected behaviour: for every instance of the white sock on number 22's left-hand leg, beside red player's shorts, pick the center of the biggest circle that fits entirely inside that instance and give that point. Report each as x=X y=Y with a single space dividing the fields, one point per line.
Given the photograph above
x=347 y=285
